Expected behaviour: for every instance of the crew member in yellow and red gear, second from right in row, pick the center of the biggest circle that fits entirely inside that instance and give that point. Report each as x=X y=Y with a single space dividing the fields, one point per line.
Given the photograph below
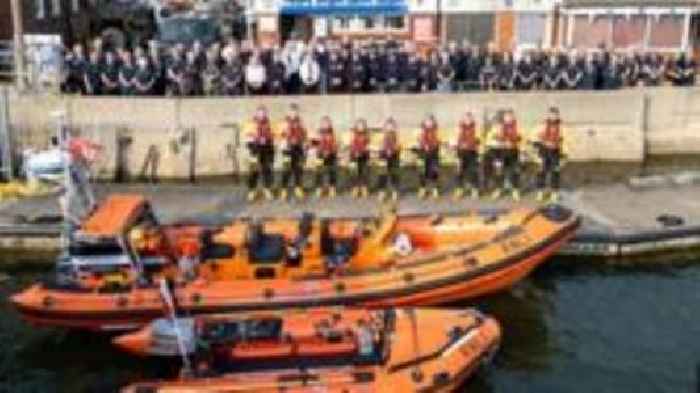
x=508 y=138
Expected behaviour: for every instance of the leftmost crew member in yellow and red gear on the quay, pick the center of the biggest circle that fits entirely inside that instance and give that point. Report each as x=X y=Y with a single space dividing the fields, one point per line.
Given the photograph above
x=261 y=146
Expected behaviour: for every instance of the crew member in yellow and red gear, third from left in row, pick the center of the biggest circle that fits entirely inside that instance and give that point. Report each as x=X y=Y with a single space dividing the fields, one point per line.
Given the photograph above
x=327 y=154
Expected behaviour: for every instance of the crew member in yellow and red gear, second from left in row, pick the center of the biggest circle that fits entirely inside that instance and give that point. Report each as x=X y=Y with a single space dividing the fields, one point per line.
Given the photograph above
x=294 y=135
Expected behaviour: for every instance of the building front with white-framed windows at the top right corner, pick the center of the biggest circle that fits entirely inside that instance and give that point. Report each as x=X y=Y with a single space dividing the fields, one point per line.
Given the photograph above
x=648 y=25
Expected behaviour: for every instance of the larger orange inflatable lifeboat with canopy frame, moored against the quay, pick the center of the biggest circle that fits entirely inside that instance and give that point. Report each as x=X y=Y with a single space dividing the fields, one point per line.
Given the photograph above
x=108 y=278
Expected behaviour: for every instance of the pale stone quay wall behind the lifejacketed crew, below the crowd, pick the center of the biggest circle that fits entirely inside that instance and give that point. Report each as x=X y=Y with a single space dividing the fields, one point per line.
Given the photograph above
x=601 y=126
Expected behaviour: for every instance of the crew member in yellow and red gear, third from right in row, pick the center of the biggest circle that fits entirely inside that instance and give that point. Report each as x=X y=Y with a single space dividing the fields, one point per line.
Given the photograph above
x=467 y=148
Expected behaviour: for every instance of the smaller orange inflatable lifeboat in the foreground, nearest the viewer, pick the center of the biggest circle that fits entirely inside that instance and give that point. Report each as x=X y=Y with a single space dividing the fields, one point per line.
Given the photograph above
x=411 y=350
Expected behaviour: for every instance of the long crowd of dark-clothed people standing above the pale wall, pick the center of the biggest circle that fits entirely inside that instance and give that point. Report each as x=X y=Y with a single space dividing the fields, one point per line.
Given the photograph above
x=353 y=66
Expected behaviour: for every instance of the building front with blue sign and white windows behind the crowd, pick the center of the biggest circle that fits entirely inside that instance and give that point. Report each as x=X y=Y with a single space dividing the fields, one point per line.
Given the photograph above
x=504 y=24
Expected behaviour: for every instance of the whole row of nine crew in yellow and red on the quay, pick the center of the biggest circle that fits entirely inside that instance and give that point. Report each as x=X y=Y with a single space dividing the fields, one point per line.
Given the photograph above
x=494 y=166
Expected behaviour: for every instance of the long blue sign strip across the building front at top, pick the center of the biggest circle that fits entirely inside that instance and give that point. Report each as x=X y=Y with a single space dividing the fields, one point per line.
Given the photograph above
x=344 y=7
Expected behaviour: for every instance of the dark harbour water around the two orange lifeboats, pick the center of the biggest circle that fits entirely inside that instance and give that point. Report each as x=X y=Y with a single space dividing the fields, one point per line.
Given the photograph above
x=571 y=327
